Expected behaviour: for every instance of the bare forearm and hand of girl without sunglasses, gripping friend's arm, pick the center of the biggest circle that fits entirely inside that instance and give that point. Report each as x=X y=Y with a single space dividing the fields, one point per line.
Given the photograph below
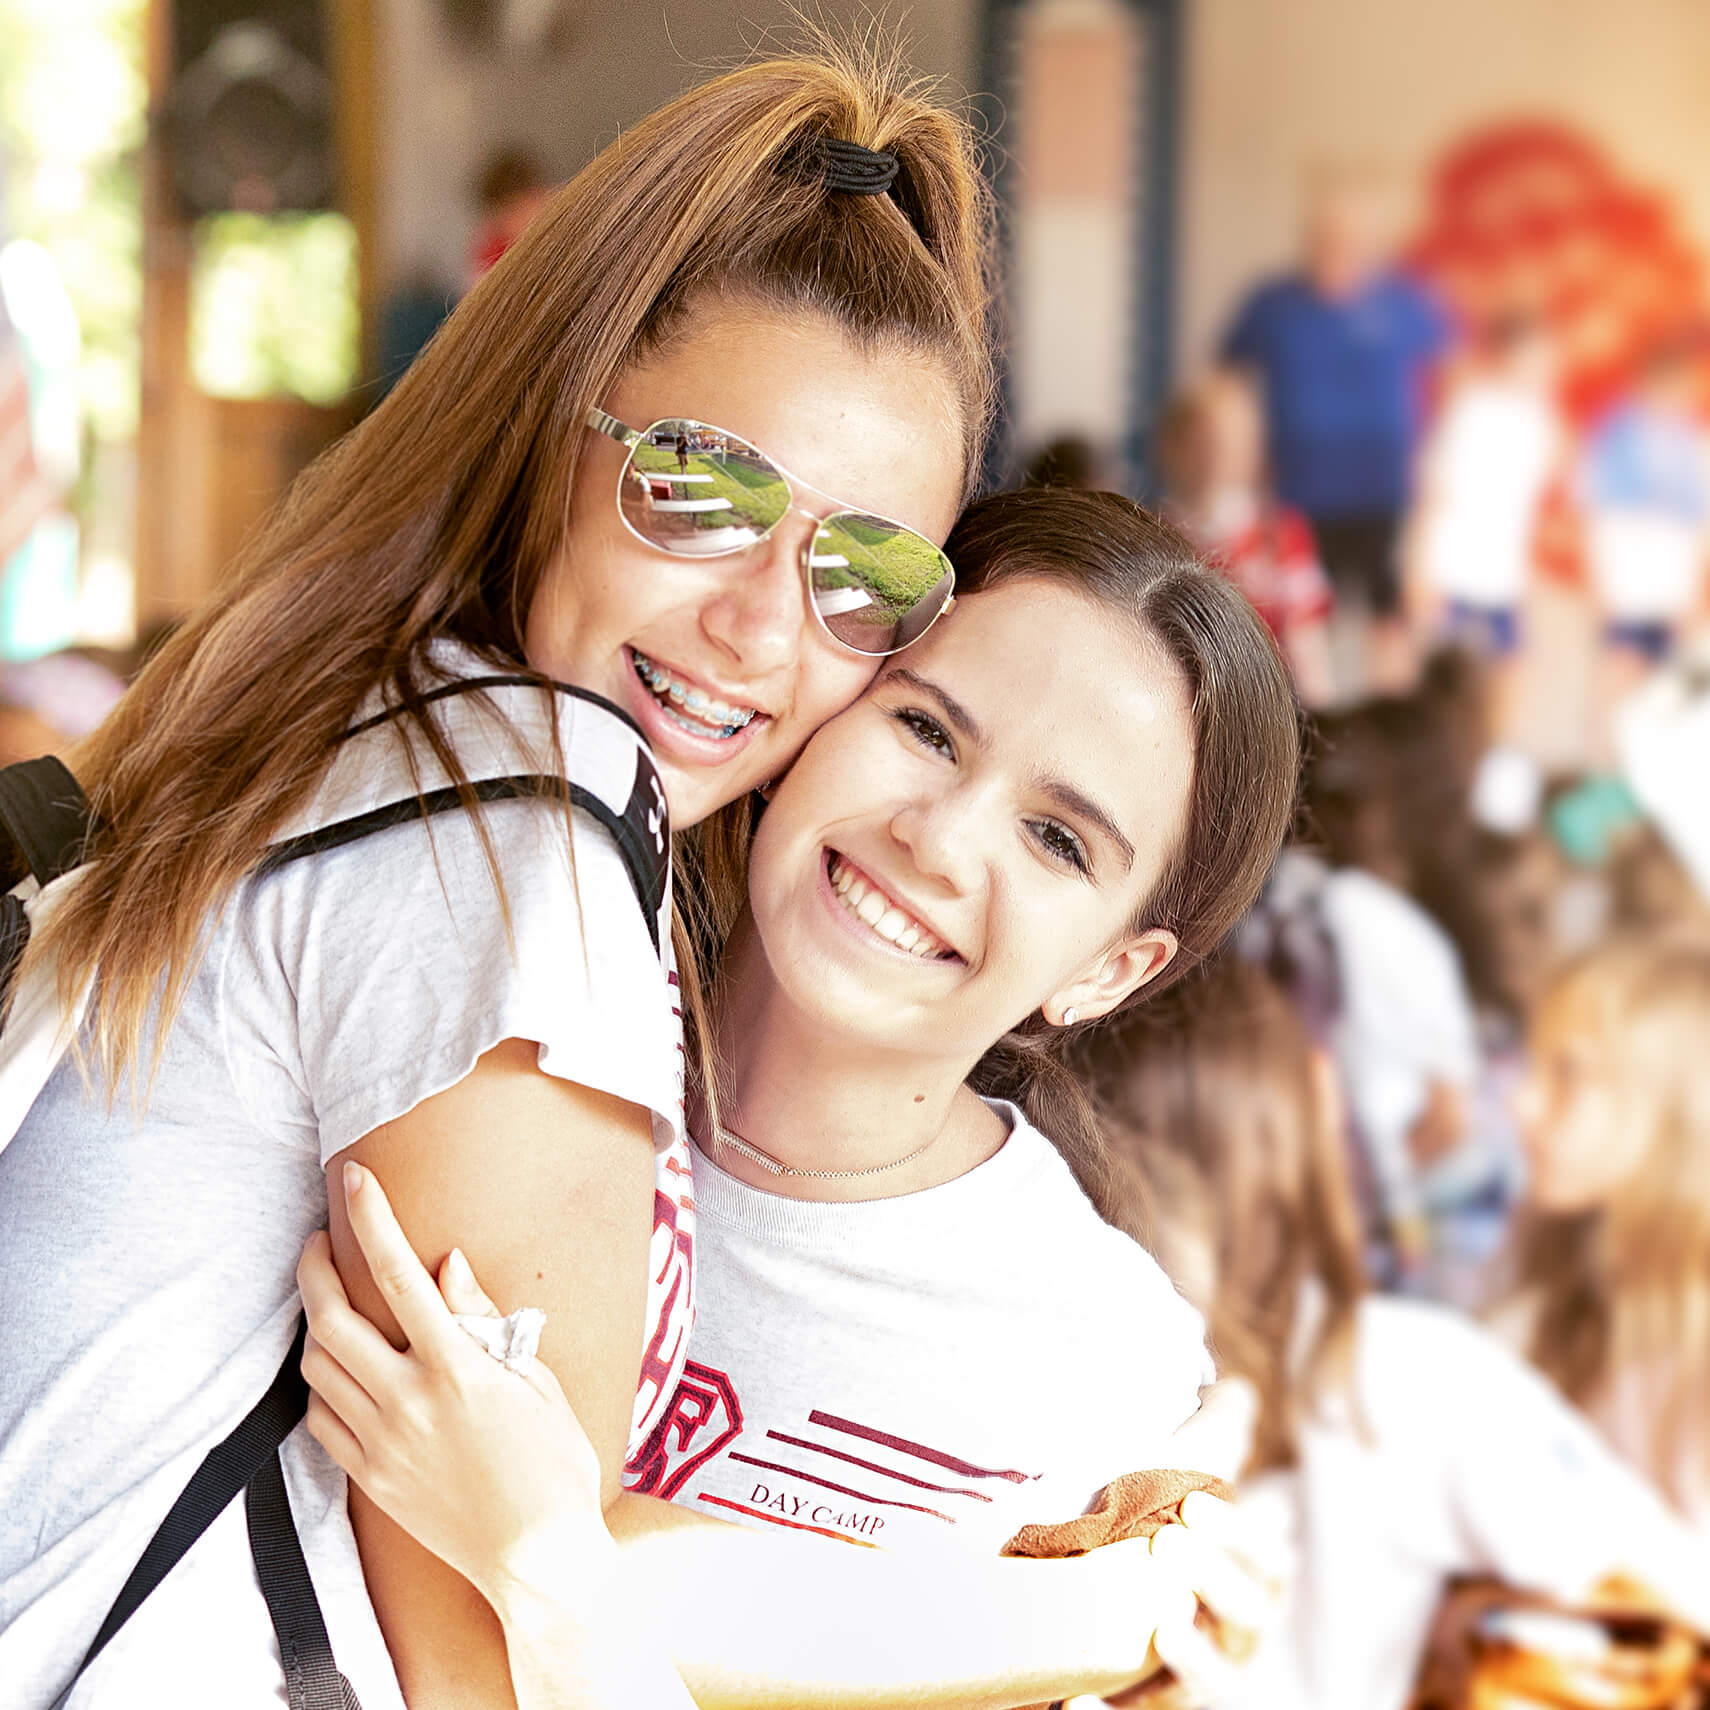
x=504 y=1485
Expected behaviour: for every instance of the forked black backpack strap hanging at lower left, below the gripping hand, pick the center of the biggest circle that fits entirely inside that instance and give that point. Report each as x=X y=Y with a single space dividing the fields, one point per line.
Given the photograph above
x=249 y=1456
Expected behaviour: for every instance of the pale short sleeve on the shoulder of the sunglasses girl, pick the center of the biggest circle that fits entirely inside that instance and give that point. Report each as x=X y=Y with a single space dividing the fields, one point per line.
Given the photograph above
x=367 y=979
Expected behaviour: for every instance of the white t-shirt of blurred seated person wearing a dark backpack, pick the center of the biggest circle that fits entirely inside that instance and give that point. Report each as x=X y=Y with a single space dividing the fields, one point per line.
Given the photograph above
x=1406 y=1020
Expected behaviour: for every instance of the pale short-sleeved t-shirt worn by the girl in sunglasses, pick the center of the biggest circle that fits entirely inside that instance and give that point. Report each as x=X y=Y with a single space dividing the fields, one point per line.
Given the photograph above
x=148 y=1261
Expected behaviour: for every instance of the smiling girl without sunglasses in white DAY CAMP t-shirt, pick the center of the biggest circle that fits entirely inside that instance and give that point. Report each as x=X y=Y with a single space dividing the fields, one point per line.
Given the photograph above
x=916 y=1335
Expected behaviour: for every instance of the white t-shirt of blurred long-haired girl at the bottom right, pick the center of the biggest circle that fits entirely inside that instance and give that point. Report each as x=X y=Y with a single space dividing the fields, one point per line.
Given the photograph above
x=1458 y=1458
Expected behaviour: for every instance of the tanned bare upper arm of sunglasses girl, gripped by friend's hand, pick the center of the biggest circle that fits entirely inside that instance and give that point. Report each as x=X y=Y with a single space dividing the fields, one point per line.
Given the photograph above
x=550 y=1191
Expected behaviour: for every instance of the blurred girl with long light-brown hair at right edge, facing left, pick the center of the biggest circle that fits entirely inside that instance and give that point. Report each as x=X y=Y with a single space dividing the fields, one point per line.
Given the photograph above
x=1612 y=1268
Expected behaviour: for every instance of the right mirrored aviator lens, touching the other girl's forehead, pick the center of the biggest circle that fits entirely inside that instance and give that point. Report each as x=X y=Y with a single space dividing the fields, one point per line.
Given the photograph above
x=876 y=584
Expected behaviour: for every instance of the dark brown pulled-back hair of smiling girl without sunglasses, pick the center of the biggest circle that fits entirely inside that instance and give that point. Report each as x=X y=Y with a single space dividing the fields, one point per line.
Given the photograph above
x=1246 y=748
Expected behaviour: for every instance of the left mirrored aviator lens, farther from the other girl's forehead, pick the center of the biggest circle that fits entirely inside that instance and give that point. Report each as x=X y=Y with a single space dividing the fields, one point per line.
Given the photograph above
x=700 y=492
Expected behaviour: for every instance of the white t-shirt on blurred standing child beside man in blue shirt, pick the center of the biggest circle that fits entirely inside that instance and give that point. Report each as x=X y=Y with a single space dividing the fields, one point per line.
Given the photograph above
x=1490 y=461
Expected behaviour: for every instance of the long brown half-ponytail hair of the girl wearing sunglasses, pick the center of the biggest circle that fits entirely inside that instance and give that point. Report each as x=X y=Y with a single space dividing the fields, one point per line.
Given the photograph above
x=439 y=516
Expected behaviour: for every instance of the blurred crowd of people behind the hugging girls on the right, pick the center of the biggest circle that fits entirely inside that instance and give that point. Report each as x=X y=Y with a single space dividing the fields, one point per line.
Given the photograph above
x=1432 y=1147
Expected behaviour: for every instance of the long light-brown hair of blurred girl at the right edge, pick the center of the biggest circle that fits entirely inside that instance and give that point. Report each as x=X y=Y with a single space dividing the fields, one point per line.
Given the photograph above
x=1624 y=1292
